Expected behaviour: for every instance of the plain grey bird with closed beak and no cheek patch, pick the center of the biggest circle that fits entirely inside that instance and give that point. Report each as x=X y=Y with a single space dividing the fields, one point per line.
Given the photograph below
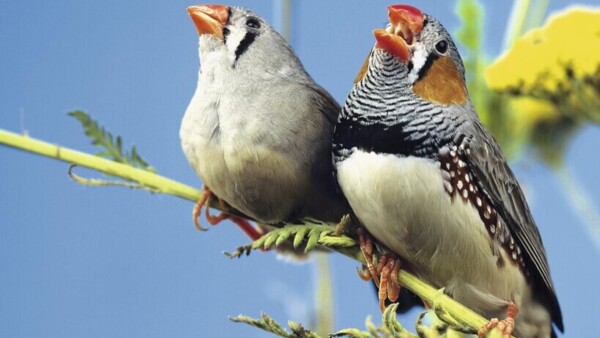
x=258 y=129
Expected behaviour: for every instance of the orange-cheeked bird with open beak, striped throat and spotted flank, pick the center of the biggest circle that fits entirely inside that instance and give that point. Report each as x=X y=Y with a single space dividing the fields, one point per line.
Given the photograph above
x=430 y=183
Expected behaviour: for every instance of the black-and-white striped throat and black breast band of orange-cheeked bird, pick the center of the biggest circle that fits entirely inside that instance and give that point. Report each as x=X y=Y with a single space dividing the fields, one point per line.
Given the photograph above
x=383 y=114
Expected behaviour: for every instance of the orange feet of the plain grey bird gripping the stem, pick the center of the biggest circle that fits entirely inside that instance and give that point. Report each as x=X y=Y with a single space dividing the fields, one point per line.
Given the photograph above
x=204 y=201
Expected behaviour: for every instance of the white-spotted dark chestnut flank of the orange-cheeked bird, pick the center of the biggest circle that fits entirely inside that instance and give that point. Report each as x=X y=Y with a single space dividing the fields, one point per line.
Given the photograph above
x=458 y=183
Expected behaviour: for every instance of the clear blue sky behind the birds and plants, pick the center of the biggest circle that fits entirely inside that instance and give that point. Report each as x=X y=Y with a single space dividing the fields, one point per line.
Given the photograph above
x=110 y=262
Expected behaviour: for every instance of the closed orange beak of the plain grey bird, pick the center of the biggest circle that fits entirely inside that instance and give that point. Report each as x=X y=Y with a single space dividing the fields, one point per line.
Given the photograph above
x=210 y=19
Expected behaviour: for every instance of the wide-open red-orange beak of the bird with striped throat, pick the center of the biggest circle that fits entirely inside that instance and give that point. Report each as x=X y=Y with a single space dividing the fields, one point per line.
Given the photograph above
x=405 y=23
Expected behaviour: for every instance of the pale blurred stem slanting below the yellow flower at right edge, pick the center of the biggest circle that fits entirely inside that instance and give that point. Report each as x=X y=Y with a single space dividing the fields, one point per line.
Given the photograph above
x=580 y=202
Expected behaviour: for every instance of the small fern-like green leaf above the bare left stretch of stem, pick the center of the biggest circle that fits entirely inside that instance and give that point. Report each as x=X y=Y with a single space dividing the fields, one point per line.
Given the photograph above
x=112 y=148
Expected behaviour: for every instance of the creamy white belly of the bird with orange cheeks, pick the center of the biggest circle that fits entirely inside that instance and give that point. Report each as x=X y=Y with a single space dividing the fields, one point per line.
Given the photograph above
x=402 y=202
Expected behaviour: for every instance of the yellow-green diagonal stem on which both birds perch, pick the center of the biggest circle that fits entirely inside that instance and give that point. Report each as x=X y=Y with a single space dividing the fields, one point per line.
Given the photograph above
x=310 y=233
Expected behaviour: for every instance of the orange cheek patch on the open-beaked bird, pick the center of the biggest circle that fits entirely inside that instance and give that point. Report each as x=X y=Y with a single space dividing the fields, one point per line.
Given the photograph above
x=442 y=84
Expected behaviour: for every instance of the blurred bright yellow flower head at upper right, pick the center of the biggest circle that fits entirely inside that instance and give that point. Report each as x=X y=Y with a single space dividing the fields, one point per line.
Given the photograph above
x=567 y=46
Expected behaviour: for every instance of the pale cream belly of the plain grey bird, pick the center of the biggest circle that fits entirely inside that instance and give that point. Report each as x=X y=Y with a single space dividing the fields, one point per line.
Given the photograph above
x=250 y=177
